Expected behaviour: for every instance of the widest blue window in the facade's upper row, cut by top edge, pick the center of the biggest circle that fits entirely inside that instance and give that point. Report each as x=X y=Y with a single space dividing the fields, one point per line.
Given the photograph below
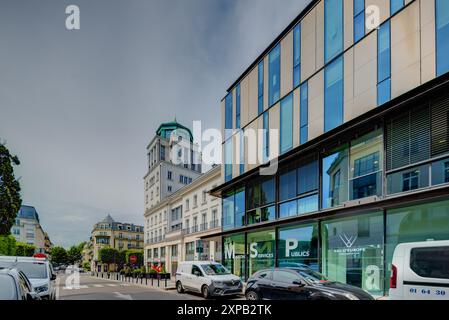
x=333 y=29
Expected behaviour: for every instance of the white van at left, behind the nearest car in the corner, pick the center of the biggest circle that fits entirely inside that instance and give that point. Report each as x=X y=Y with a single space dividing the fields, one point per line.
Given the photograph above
x=38 y=270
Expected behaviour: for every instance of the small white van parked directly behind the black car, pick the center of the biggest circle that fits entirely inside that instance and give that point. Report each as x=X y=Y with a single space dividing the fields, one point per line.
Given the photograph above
x=208 y=278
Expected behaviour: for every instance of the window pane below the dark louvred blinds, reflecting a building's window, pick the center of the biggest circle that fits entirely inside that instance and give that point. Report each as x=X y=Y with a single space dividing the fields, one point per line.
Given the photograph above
x=408 y=180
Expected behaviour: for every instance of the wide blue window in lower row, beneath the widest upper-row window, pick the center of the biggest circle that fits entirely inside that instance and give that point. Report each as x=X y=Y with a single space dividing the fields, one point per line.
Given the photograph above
x=333 y=95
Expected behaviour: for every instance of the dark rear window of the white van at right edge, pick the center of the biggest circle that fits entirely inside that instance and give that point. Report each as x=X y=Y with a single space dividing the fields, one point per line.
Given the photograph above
x=432 y=262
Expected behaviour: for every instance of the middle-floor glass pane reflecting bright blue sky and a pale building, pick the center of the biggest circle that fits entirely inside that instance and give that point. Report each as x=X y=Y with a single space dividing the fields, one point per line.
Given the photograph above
x=335 y=178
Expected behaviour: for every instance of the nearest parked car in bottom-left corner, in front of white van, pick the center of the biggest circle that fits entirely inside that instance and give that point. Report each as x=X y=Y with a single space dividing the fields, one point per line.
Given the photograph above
x=14 y=285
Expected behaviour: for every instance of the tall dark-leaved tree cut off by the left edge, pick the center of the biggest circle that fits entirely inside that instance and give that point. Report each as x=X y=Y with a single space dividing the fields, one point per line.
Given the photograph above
x=10 y=200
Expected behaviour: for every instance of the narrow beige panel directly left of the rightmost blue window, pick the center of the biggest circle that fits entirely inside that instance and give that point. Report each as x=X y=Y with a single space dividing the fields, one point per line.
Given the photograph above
x=428 y=45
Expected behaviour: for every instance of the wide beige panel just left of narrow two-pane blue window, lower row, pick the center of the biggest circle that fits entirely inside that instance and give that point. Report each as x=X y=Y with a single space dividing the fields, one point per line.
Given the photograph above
x=365 y=76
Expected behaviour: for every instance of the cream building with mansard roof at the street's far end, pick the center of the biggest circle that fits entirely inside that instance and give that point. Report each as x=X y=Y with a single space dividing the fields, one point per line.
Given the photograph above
x=112 y=234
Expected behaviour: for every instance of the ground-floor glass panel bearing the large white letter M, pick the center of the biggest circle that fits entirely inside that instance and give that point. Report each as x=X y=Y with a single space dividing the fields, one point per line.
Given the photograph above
x=234 y=254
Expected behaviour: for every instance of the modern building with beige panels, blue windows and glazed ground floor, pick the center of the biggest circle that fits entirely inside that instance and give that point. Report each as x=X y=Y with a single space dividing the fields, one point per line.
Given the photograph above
x=362 y=116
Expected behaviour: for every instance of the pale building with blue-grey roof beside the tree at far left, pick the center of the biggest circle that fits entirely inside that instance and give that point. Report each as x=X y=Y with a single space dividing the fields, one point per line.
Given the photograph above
x=27 y=229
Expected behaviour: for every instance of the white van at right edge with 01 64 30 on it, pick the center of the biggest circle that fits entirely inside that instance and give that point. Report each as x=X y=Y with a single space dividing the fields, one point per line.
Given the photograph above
x=420 y=271
